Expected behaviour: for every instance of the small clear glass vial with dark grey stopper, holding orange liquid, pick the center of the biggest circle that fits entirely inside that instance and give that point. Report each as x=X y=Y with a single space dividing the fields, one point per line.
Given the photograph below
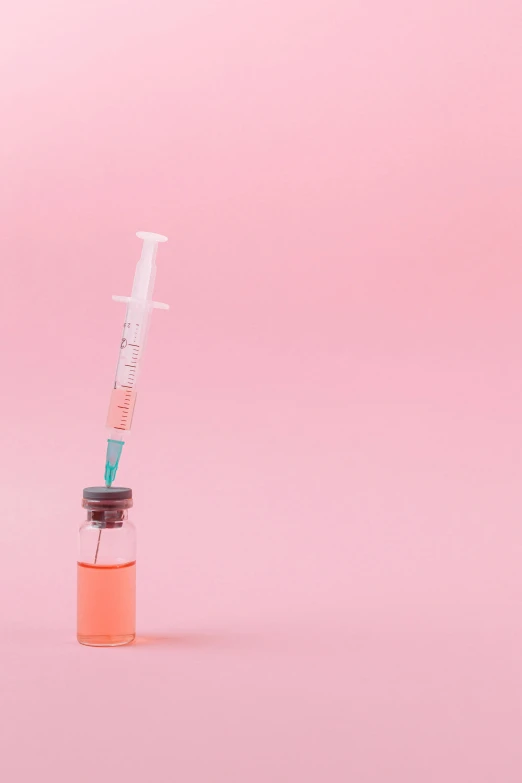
x=107 y=569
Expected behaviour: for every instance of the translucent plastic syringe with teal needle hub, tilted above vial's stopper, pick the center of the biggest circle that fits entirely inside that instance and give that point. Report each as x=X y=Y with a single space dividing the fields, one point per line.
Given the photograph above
x=132 y=347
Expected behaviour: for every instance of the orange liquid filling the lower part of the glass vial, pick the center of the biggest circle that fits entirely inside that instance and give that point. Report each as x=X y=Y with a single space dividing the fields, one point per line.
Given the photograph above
x=106 y=604
